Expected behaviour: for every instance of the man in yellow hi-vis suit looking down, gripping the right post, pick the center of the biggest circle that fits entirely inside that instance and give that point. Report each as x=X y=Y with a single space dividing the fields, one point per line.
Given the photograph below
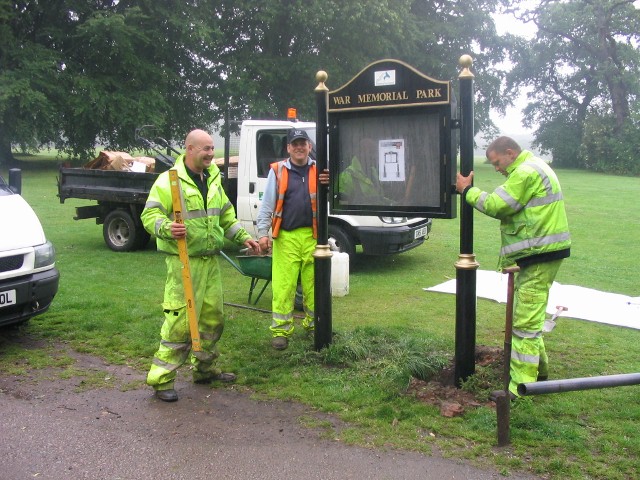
x=535 y=236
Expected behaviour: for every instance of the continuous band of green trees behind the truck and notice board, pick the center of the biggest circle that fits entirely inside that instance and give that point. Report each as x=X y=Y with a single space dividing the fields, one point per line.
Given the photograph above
x=76 y=73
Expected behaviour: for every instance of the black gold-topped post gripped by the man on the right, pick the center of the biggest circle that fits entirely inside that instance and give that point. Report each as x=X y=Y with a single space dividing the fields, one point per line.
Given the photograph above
x=466 y=265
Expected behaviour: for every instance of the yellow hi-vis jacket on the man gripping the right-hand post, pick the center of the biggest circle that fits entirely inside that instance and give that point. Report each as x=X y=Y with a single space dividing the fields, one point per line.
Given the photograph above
x=530 y=208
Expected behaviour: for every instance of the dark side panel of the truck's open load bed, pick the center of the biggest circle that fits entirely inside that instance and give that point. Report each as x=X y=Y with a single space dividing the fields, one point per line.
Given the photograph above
x=104 y=185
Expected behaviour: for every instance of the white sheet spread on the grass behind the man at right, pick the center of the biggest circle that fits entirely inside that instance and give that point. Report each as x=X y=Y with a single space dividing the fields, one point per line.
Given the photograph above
x=583 y=303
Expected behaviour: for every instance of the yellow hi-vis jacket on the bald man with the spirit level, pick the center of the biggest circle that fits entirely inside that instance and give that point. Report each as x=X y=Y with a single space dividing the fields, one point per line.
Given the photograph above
x=206 y=229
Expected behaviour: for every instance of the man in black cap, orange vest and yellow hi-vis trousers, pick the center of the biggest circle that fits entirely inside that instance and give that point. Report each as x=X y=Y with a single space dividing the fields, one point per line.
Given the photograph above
x=289 y=209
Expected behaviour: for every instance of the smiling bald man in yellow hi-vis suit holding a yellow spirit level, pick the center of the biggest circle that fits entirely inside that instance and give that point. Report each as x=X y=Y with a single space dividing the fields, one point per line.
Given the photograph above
x=209 y=217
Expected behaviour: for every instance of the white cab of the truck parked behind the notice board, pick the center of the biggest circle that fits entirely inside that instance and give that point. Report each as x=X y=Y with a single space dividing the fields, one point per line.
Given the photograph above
x=263 y=142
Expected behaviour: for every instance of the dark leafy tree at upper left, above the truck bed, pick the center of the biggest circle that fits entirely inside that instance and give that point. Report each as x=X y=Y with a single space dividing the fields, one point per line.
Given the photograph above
x=74 y=73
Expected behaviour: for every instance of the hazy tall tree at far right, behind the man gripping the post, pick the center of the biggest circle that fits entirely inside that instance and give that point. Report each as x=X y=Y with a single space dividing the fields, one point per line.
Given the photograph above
x=583 y=63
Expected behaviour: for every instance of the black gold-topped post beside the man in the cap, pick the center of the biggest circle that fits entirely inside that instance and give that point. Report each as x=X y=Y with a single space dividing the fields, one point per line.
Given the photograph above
x=322 y=254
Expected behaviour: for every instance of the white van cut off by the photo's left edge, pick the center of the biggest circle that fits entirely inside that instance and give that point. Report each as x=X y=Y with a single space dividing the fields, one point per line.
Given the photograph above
x=28 y=276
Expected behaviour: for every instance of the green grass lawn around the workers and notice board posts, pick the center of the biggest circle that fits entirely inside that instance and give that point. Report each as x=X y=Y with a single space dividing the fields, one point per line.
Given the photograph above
x=386 y=330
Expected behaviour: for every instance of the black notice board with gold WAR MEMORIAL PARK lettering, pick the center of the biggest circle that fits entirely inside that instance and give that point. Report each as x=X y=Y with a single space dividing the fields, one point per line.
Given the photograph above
x=391 y=143
